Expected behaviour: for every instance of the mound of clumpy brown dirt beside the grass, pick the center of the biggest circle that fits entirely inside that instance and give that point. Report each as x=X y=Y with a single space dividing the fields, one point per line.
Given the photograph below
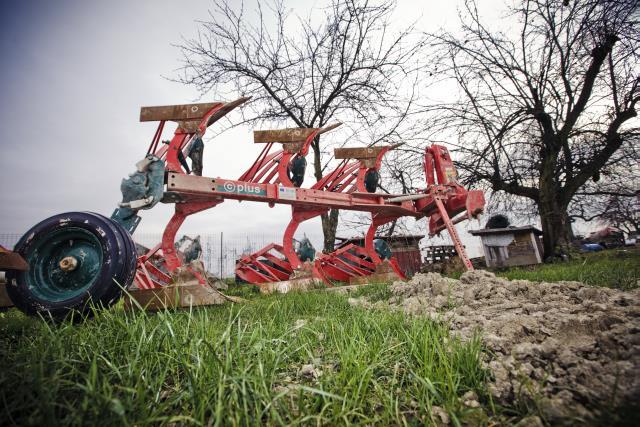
x=568 y=348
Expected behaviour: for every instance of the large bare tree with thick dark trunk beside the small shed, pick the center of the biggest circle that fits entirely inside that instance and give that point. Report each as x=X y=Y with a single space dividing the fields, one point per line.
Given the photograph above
x=546 y=104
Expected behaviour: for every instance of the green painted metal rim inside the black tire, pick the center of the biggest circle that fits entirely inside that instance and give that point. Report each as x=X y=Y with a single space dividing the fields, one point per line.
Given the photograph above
x=45 y=278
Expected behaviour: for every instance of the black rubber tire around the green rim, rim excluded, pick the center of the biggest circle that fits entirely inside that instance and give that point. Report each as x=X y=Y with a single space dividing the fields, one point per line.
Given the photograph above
x=118 y=263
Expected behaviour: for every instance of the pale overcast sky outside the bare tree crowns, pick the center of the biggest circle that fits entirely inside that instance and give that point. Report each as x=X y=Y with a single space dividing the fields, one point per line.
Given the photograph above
x=74 y=76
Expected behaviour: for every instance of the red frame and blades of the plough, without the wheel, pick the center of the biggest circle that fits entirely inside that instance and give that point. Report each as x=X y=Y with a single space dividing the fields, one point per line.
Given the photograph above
x=276 y=177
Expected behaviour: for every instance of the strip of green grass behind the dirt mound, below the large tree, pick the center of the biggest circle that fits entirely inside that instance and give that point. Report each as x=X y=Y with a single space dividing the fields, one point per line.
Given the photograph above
x=618 y=269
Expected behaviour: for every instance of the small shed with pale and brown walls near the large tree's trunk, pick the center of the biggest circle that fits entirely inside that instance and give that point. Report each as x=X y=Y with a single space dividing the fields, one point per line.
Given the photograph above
x=511 y=246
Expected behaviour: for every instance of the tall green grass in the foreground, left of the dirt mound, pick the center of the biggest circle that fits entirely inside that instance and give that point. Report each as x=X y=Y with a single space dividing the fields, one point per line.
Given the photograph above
x=237 y=365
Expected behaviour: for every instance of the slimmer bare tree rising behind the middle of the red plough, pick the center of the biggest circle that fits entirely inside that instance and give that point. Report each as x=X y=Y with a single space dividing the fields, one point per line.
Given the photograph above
x=344 y=63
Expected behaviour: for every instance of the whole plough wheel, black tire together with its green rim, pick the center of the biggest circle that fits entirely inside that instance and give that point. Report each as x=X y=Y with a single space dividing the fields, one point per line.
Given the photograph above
x=74 y=259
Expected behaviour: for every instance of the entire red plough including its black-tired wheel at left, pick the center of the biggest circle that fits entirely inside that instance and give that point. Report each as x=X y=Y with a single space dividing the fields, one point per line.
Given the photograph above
x=275 y=177
